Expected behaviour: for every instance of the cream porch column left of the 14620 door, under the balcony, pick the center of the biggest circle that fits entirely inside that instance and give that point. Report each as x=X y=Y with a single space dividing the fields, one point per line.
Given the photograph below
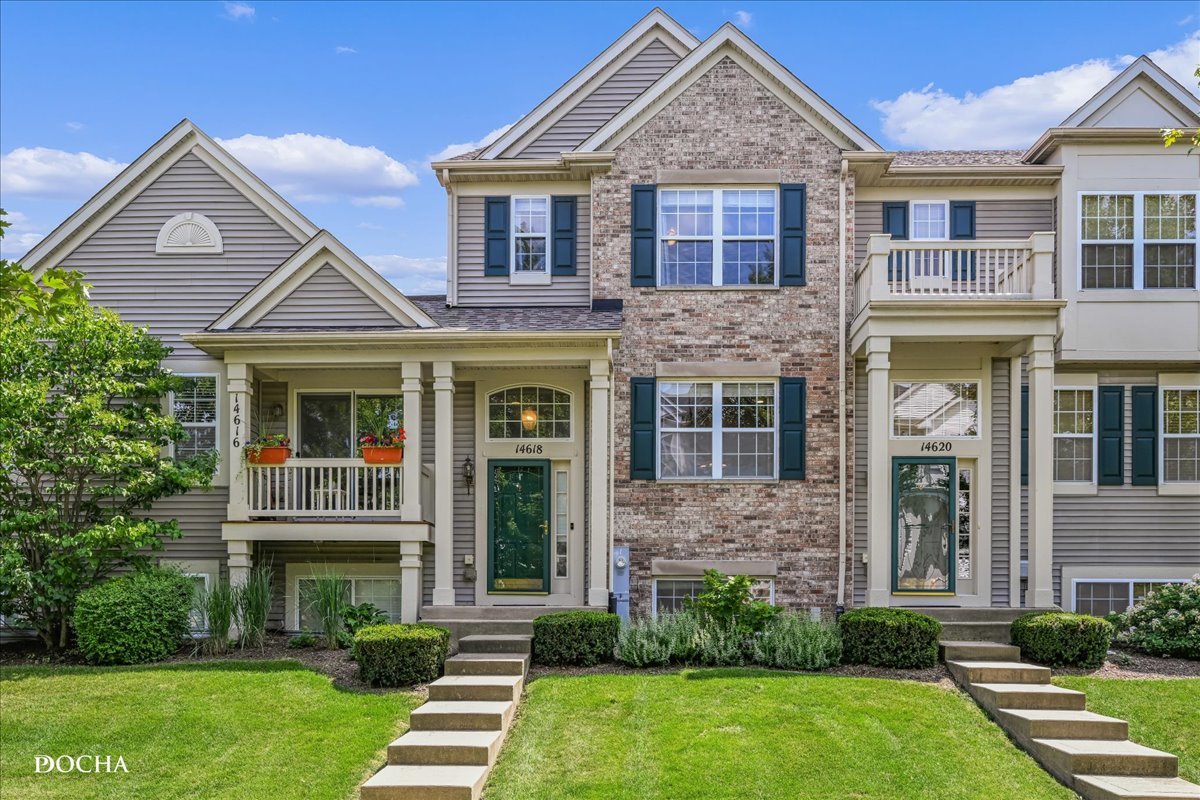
x=879 y=473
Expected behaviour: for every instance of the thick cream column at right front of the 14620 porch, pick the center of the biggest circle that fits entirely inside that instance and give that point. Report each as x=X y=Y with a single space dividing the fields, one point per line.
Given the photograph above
x=1040 y=593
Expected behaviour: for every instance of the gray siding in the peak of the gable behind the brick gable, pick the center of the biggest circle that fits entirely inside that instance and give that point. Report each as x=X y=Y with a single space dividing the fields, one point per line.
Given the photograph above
x=603 y=103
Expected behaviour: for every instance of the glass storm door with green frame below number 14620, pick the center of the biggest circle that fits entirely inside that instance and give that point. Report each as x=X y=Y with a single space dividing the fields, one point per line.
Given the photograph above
x=923 y=526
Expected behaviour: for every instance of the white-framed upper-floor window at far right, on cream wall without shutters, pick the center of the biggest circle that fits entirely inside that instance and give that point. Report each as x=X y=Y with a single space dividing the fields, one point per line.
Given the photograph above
x=1138 y=240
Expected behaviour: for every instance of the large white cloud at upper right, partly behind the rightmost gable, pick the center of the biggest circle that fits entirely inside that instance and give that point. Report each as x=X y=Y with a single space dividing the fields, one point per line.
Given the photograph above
x=1015 y=115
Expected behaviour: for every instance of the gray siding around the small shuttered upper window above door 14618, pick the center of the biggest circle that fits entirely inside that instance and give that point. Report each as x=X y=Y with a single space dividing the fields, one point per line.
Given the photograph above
x=477 y=290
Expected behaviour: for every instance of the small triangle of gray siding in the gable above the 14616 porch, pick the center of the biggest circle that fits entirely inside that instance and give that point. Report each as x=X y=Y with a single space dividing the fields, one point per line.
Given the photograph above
x=327 y=299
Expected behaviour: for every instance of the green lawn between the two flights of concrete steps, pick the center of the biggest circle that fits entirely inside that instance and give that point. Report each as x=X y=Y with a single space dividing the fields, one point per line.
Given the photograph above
x=746 y=733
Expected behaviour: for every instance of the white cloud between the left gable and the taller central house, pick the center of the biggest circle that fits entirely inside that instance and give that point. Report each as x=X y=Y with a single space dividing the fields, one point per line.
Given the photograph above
x=320 y=169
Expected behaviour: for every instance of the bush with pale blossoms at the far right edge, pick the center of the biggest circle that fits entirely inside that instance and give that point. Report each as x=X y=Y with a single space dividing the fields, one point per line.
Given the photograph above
x=1166 y=623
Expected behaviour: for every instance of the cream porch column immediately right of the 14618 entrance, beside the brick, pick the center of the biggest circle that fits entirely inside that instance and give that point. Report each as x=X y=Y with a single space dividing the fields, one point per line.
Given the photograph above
x=598 y=501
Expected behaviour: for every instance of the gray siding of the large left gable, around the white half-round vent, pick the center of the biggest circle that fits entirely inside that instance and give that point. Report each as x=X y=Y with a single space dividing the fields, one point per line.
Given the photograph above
x=181 y=294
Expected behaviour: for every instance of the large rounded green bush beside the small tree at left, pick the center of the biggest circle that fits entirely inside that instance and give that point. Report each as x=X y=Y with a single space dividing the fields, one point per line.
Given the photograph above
x=136 y=618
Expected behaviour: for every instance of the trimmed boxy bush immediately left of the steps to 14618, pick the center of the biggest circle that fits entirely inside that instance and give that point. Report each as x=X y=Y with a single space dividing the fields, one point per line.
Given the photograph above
x=401 y=655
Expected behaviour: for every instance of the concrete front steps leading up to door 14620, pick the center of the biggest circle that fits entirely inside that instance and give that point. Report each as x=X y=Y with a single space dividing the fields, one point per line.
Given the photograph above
x=1089 y=753
